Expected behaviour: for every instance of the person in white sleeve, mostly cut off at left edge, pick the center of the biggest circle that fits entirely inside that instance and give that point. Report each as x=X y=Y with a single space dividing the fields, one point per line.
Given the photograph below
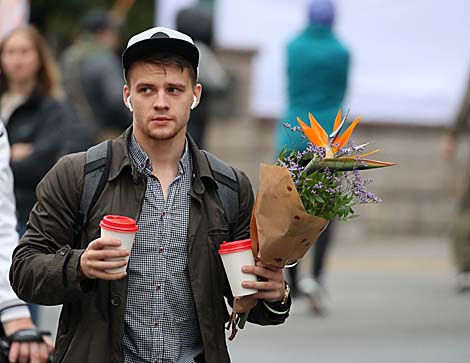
x=14 y=314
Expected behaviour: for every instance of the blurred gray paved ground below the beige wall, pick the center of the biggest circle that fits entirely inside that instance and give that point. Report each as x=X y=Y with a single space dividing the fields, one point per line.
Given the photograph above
x=389 y=301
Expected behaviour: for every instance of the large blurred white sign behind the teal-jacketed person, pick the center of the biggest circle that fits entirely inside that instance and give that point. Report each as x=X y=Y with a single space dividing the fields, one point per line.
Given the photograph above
x=410 y=58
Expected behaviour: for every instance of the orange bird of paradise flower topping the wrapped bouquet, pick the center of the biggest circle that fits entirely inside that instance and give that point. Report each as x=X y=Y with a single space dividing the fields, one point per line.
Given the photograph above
x=334 y=147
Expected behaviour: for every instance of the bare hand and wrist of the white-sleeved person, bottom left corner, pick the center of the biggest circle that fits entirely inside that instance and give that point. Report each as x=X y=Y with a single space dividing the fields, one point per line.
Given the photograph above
x=24 y=352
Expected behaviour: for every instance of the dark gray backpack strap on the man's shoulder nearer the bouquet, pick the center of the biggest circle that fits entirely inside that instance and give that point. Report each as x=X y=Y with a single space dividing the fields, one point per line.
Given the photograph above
x=228 y=190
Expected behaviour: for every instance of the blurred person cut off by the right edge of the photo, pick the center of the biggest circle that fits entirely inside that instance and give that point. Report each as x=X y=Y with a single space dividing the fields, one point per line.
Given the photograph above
x=461 y=228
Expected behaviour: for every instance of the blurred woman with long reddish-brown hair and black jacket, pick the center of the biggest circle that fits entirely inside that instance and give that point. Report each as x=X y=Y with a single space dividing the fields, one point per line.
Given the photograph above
x=31 y=107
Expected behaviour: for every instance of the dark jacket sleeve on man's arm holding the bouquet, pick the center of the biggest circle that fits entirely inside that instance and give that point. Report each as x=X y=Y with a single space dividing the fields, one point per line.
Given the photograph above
x=263 y=312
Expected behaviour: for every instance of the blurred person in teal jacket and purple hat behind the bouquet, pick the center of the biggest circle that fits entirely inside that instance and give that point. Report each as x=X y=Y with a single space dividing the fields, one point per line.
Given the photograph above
x=317 y=77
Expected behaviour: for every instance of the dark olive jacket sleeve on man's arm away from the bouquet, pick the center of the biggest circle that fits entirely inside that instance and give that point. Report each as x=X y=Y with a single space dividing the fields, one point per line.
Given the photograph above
x=44 y=266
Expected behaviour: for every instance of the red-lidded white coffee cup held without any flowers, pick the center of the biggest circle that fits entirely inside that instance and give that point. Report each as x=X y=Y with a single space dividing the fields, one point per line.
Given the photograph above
x=123 y=229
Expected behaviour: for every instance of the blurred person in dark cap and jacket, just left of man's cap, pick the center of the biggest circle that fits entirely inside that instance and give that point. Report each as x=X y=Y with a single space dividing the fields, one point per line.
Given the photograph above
x=93 y=78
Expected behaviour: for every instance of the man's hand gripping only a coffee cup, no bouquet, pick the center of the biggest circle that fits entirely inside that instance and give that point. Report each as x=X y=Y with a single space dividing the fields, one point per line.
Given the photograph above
x=93 y=264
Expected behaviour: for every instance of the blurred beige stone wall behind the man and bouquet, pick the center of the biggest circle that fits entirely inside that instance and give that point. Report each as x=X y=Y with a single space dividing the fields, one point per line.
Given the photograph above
x=419 y=194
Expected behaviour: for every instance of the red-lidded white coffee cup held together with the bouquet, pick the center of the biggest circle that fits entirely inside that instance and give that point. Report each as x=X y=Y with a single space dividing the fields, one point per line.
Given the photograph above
x=235 y=255
